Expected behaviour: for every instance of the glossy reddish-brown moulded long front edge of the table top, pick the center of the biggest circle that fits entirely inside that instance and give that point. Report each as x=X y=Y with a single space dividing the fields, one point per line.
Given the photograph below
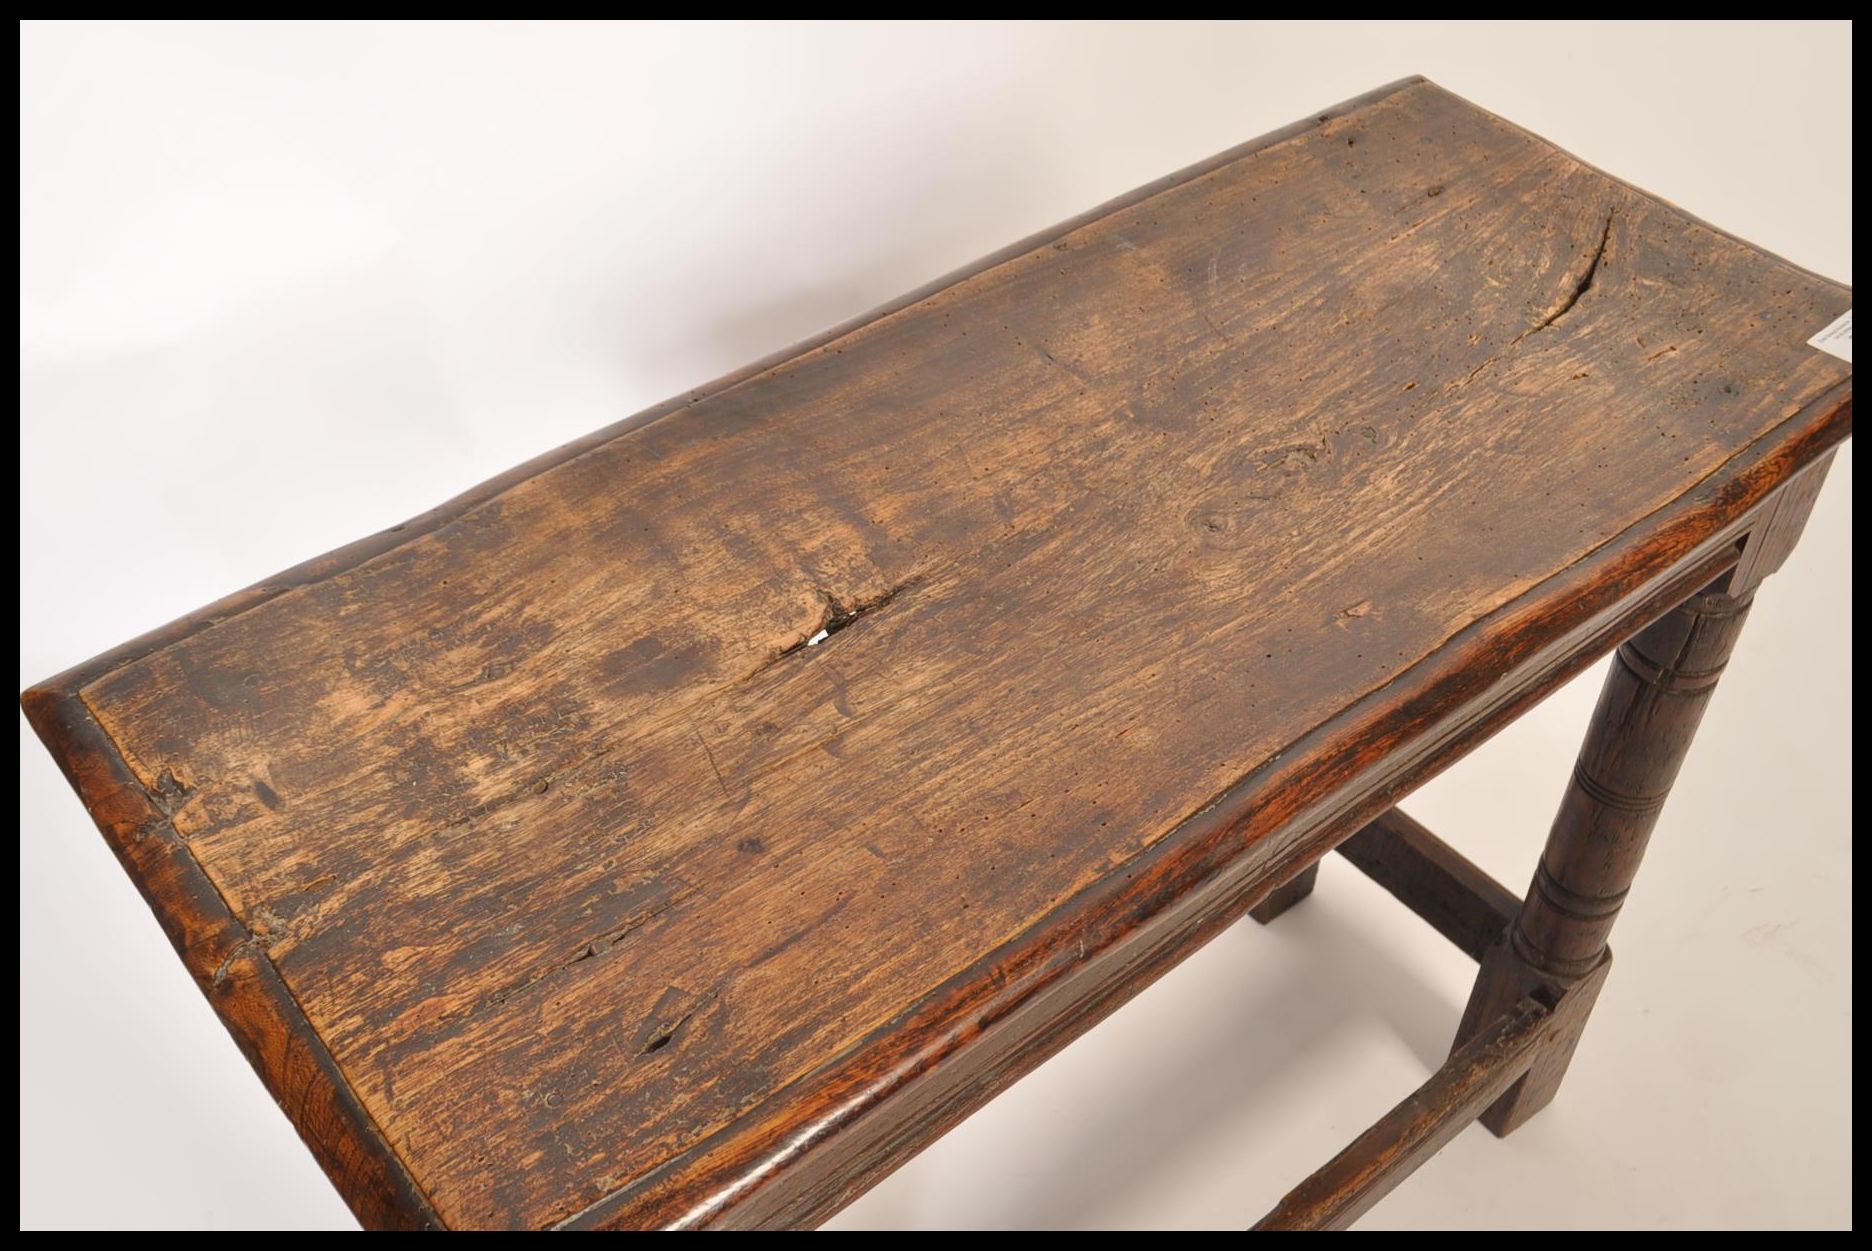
x=740 y=1175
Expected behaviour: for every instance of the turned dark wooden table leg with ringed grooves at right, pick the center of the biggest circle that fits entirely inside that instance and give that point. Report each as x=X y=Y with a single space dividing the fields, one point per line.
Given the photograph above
x=1656 y=694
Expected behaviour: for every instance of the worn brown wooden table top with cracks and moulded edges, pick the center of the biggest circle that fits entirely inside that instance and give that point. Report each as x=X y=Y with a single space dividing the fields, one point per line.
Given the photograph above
x=690 y=821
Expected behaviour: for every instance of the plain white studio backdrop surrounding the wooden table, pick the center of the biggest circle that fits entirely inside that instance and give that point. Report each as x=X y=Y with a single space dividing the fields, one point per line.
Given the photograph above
x=284 y=286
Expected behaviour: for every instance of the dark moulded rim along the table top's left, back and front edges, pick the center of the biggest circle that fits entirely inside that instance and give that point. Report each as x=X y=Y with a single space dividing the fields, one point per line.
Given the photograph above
x=946 y=1061
